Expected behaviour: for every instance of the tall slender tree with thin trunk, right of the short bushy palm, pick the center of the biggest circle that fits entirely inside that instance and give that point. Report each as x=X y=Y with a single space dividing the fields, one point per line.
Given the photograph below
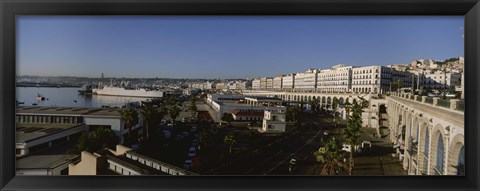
x=352 y=132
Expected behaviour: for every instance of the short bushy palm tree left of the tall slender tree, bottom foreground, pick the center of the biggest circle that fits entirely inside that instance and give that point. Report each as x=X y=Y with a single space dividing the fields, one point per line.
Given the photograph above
x=330 y=155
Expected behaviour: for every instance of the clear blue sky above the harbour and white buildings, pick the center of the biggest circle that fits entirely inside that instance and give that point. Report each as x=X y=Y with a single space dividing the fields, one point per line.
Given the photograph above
x=227 y=46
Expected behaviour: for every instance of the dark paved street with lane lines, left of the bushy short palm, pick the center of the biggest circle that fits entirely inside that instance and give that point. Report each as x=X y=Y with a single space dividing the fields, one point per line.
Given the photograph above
x=274 y=158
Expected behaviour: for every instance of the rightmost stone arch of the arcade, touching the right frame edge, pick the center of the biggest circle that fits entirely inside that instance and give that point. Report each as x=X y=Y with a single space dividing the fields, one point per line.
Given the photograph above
x=455 y=148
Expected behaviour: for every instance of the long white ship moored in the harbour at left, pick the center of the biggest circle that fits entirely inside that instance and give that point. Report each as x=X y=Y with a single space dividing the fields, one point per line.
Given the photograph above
x=128 y=92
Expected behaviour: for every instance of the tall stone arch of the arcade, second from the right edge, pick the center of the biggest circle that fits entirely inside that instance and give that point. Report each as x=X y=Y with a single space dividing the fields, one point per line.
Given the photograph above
x=438 y=136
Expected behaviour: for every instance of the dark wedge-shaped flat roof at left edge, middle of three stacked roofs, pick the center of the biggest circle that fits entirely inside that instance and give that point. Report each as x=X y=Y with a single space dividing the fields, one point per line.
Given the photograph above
x=26 y=132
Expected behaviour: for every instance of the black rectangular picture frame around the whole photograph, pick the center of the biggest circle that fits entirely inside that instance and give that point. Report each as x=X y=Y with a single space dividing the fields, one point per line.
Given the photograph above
x=9 y=9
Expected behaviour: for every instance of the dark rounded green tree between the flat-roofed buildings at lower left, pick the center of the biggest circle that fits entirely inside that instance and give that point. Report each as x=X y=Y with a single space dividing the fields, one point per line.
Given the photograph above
x=100 y=138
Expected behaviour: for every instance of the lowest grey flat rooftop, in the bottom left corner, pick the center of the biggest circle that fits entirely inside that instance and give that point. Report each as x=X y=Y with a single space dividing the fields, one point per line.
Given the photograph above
x=44 y=161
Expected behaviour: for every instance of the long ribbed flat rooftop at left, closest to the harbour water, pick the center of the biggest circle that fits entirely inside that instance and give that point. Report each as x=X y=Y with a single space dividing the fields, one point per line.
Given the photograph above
x=78 y=111
